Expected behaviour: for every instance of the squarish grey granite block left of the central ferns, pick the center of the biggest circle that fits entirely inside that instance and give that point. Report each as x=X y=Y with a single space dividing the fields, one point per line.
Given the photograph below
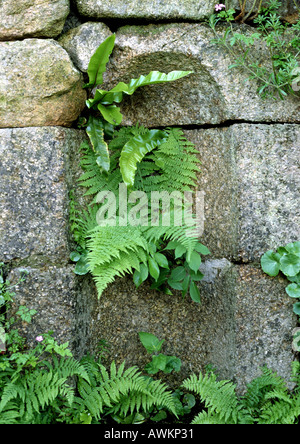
x=35 y=176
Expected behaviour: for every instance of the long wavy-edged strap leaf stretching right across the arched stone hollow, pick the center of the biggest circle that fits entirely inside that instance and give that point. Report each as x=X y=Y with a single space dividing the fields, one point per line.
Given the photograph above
x=116 y=94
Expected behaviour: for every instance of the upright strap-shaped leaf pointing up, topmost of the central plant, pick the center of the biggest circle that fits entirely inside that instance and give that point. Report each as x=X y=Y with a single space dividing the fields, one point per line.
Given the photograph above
x=98 y=61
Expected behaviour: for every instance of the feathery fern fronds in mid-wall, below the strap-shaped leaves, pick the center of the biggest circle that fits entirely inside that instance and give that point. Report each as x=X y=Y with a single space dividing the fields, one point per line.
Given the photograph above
x=115 y=250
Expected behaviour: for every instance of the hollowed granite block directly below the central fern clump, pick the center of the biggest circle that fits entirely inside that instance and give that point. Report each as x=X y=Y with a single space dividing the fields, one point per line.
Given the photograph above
x=245 y=321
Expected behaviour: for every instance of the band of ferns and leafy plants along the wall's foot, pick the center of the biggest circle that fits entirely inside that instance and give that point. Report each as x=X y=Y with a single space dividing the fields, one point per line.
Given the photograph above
x=47 y=385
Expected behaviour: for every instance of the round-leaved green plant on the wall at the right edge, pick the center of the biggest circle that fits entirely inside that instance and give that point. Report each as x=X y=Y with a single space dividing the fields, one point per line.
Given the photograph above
x=287 y=261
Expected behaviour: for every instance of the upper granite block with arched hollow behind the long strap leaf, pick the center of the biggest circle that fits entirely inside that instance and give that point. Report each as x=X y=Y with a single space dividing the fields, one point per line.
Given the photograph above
x=212 y=95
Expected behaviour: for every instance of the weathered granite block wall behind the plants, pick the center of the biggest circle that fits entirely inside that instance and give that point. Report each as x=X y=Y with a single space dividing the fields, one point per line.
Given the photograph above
x=250 y=173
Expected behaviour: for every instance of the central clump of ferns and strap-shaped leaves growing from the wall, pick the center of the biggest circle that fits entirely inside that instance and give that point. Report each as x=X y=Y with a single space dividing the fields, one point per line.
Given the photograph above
x=140 y=181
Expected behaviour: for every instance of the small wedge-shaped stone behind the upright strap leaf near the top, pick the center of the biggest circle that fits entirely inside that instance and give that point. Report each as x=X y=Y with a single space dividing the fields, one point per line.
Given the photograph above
x=82 y=41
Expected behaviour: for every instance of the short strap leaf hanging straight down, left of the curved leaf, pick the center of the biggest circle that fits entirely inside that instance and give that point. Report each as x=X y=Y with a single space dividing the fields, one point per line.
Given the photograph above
x=95 y=131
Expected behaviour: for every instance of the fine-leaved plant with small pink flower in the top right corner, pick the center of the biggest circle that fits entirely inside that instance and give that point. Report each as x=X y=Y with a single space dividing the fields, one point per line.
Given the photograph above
x=279 y=74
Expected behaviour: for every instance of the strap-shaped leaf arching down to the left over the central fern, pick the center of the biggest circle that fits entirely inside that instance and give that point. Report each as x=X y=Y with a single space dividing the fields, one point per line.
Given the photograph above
x=135 y=150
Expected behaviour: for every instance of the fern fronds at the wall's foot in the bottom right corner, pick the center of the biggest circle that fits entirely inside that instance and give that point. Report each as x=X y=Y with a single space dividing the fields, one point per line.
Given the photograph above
x=266 y=401
